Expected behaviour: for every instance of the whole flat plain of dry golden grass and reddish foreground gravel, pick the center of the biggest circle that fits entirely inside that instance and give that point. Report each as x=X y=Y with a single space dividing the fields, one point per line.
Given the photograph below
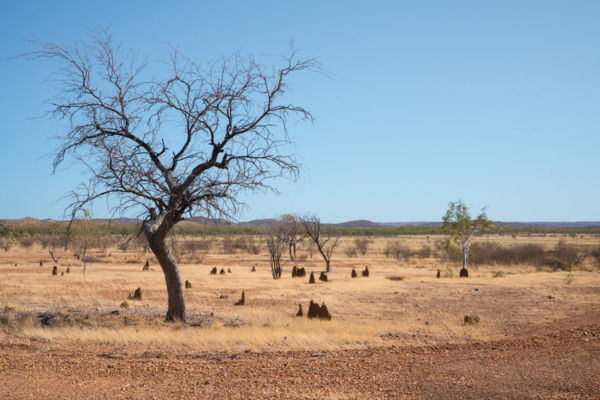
x=398 y=333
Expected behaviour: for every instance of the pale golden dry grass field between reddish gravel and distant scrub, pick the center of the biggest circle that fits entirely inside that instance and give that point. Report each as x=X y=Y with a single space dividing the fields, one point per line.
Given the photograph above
x=374 y=311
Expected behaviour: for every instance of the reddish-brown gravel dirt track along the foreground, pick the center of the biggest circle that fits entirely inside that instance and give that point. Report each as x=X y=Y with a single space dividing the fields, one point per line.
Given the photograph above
x=560 y=363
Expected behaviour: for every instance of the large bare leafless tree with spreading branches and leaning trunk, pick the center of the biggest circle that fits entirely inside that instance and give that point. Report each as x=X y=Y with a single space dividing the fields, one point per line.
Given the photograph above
x=186 y=144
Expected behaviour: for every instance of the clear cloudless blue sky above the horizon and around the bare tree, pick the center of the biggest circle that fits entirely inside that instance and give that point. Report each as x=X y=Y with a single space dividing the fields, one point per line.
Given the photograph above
x=494 y=102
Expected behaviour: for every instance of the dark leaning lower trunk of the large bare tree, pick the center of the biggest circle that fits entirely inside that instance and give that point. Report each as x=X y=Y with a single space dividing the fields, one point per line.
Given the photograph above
x=176 y=307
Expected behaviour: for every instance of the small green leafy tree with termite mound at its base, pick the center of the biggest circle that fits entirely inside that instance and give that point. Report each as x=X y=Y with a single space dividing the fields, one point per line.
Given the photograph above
x=461 y=227
